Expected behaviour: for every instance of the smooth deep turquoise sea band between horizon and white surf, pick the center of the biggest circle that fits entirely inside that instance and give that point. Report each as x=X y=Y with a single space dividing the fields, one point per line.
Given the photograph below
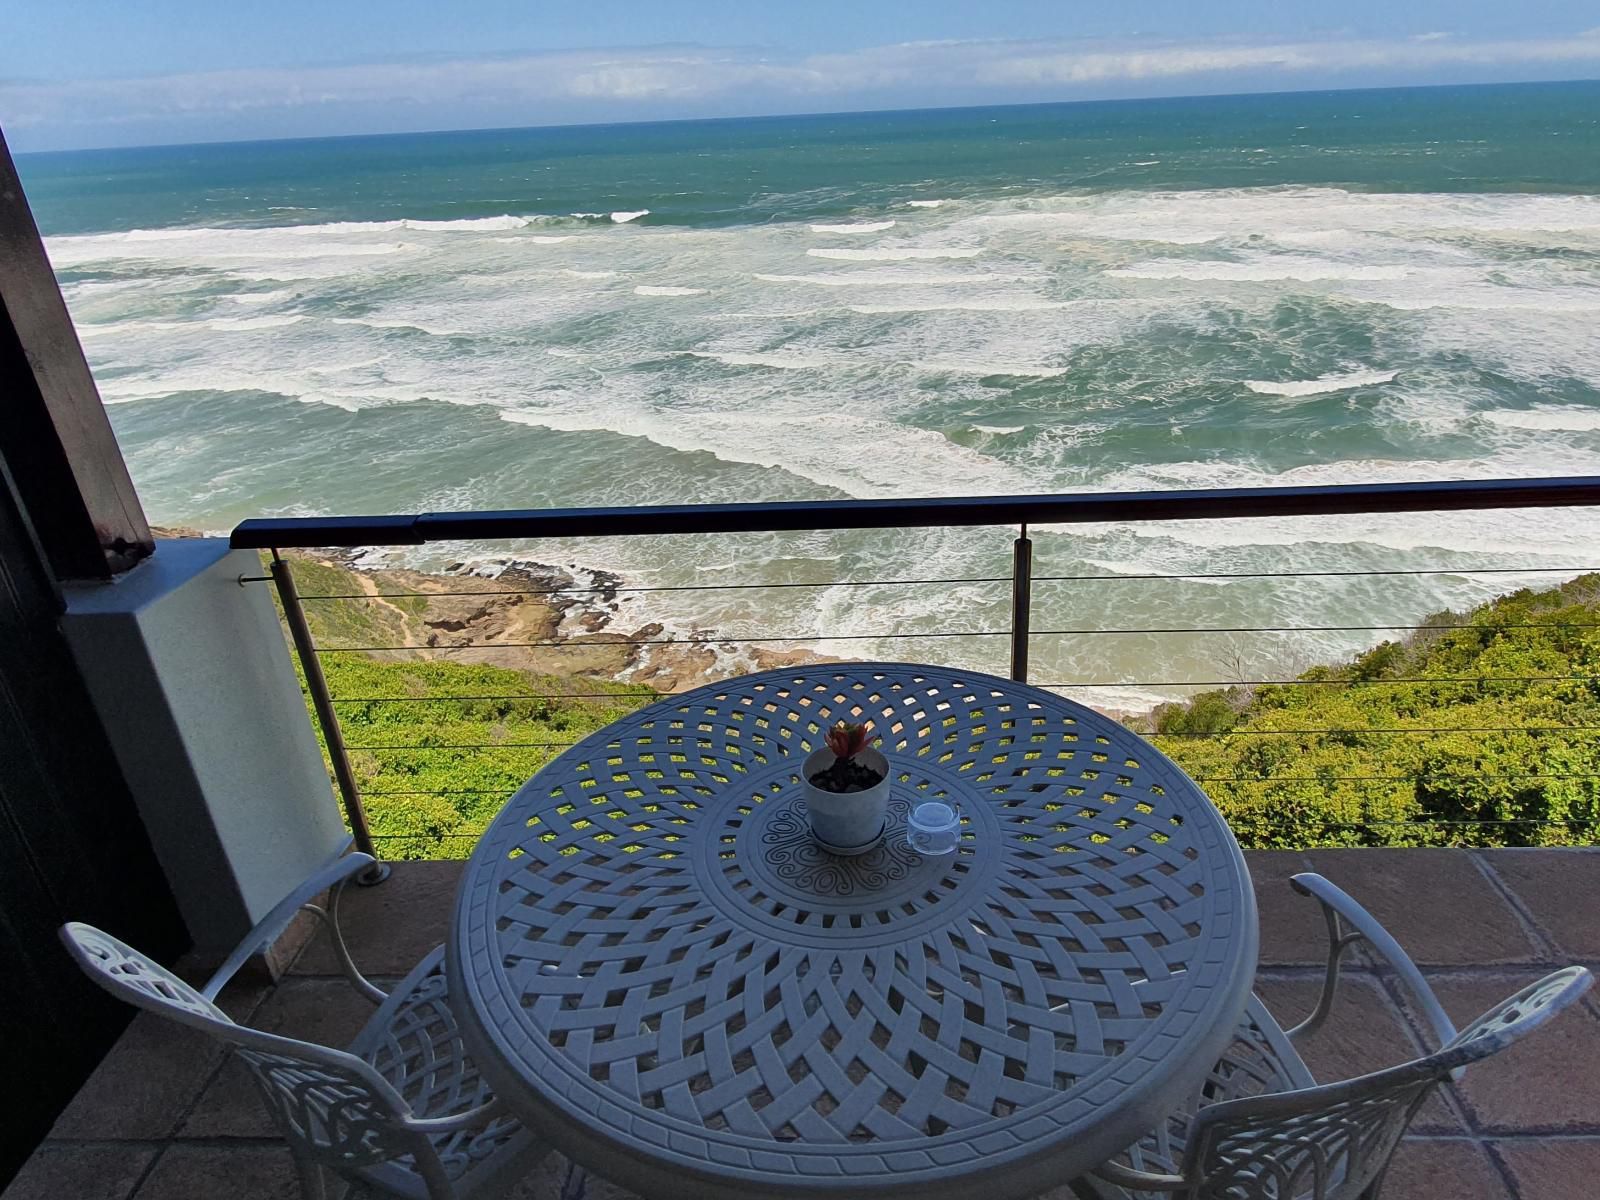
x=1522 y=138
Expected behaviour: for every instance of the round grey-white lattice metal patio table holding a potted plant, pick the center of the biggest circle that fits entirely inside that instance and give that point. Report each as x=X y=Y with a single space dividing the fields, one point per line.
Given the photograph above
x=662 y=974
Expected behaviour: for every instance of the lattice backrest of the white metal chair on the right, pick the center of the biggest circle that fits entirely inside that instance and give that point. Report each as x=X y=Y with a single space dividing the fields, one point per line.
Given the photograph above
x=1332 y=1143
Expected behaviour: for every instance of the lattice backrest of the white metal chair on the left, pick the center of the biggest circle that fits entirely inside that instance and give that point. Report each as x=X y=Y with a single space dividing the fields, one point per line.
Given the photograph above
x=330 y=1106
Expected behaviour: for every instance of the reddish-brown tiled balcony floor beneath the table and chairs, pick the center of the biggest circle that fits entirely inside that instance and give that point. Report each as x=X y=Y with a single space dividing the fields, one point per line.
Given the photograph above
x=167 y=1118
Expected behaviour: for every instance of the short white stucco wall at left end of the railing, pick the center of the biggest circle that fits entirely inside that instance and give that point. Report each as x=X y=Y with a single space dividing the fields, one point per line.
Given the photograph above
x=194 y=682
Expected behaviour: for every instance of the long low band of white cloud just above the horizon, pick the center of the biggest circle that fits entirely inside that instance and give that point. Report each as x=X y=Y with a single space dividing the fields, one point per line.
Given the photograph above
x=604 y=82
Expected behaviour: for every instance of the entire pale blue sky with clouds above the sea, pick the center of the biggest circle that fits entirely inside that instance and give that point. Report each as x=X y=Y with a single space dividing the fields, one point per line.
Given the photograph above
x=137 y=73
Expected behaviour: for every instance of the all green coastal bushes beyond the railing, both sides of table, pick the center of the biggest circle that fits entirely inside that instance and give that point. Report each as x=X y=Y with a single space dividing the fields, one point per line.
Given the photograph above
x=1479 y=730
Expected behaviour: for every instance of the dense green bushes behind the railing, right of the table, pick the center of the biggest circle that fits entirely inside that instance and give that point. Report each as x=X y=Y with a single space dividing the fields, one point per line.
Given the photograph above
x=1481 y=730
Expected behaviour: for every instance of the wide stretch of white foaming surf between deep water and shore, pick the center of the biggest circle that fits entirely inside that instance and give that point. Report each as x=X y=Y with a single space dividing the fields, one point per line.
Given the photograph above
x=1017 y=345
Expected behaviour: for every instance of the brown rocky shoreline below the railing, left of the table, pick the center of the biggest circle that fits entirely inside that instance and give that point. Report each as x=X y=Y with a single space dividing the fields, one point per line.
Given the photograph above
x=514 y=614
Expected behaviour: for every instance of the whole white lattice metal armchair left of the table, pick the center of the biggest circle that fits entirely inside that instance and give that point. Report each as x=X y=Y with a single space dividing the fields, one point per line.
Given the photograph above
x=404 y=1111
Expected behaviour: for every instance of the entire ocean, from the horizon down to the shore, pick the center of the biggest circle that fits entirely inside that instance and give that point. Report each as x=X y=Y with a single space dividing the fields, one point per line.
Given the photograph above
x=1182 y=294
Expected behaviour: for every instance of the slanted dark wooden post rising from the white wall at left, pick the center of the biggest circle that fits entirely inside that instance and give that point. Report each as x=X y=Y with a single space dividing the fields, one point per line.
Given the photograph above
x=54 y=428
